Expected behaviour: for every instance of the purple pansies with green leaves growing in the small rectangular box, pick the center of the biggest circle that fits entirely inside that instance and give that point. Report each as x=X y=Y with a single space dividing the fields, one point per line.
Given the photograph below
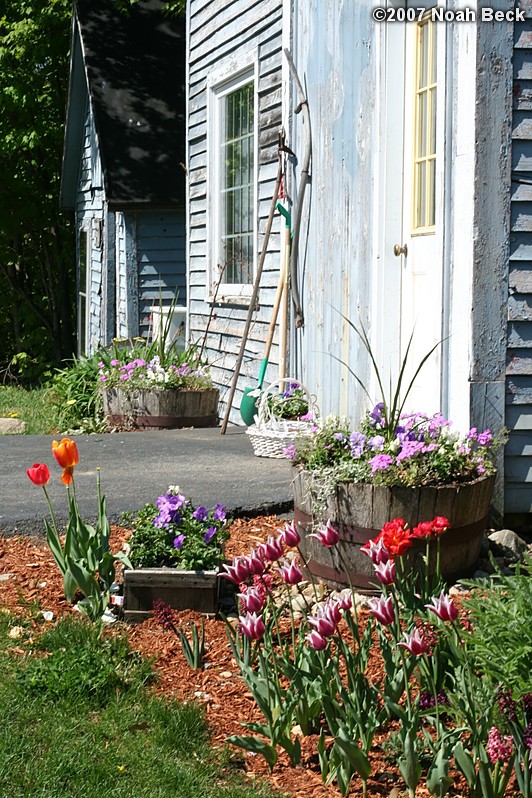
x=174 y=533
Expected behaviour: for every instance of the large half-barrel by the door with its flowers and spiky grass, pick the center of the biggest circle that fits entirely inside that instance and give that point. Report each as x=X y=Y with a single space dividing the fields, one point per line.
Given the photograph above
x=396 y=464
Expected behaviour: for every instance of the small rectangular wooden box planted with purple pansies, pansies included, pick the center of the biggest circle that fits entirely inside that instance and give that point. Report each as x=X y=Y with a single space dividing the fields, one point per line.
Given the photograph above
x=175 y=550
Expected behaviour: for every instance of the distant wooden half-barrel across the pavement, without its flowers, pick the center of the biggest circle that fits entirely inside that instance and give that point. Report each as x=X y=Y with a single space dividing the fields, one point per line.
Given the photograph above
x=160 y=408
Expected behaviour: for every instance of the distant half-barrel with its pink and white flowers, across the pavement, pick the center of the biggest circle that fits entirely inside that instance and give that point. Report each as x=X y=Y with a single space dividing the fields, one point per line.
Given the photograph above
x=146 y=385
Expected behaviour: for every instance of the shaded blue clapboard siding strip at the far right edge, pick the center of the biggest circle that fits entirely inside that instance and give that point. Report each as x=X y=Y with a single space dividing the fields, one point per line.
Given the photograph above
x=518 y=453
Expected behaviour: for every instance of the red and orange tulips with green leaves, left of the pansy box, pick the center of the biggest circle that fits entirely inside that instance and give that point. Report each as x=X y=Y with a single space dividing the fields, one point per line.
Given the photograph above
x=84 y=558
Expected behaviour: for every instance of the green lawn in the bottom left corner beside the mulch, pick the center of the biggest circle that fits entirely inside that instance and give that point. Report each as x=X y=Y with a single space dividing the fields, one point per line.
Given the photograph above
x=59 y=738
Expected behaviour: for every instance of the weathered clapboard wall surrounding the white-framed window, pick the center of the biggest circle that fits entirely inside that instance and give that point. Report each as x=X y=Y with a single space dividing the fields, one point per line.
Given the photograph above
x=221 y=30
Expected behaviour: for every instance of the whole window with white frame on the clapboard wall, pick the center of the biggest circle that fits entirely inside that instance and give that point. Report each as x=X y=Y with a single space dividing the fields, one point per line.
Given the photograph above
x=232 y=181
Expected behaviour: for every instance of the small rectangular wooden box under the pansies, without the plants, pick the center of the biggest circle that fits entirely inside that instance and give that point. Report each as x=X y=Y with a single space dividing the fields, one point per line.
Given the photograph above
x=181 y=590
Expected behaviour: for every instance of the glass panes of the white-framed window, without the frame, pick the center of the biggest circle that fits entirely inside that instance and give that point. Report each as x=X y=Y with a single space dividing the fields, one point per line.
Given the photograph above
x=237 y=192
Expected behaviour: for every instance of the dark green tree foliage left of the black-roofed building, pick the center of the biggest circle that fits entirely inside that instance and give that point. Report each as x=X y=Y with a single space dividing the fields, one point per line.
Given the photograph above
x=37 y=280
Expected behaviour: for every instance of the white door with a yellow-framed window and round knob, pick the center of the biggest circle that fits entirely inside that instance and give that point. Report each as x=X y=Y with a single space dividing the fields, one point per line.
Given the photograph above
x=411 y=246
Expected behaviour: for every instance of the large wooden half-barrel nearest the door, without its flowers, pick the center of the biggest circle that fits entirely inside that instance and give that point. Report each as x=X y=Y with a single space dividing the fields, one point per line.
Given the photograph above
x=359 y=511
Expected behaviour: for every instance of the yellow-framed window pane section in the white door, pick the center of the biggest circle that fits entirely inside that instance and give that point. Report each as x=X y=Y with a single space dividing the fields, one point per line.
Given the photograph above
x=425 y=128
